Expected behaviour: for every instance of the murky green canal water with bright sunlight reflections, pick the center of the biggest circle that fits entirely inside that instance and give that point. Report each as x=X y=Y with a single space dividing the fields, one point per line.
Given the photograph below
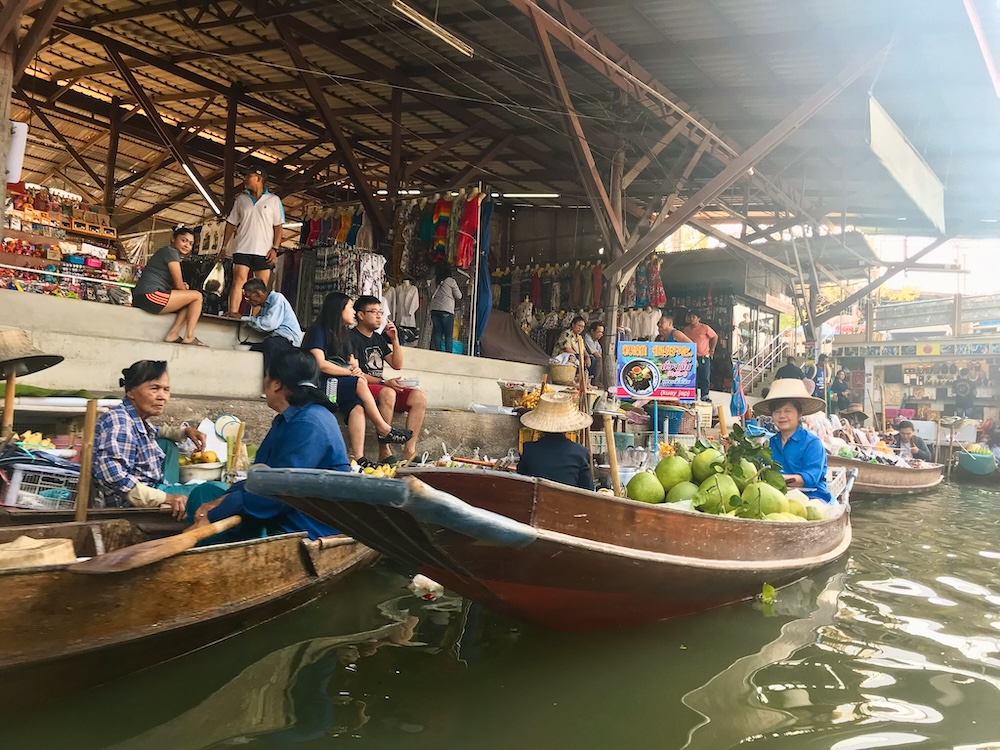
x=897 y=645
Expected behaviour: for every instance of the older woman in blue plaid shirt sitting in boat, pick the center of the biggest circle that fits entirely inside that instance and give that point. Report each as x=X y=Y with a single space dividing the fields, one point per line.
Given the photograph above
x=128 y=464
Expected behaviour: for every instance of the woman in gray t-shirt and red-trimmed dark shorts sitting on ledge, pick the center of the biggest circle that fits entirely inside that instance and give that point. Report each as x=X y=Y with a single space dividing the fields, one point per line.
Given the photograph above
x=161 y=288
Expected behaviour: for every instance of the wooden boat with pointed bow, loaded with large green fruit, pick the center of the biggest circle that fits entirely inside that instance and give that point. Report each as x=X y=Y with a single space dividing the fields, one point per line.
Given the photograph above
x=565 y=558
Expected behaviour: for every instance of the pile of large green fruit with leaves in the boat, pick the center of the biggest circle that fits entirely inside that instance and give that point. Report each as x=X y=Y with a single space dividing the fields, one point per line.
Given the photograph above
x=743 y=482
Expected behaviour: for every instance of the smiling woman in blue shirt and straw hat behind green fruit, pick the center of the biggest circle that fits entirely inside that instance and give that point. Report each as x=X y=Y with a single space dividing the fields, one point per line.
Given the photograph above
x=800 y=452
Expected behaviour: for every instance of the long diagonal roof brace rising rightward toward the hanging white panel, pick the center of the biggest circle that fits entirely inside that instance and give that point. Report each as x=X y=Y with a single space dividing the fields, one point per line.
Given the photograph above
x=738 y=167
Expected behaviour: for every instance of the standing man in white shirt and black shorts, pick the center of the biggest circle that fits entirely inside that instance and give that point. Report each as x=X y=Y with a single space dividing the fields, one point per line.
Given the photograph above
x=256 y=220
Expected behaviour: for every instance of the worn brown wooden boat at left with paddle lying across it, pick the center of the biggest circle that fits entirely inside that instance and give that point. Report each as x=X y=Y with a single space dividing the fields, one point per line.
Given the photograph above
x=62 y=631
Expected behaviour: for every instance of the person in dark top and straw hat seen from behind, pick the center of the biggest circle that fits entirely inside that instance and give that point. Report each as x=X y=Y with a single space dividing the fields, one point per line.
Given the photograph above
x=554 y=456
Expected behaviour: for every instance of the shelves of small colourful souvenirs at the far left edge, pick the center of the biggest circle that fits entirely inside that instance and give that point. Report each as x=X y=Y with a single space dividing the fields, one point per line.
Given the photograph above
x=53 y=243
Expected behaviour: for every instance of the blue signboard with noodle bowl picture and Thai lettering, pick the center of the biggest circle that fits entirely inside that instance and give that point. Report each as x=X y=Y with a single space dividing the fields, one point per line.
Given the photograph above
x=657 y=370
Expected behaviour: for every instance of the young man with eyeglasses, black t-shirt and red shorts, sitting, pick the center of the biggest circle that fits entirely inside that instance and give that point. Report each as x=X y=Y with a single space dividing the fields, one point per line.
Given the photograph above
x=374 y=351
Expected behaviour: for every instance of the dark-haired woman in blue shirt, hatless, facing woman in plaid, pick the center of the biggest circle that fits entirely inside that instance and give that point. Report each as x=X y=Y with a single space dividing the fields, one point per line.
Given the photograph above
x=304 y=435
